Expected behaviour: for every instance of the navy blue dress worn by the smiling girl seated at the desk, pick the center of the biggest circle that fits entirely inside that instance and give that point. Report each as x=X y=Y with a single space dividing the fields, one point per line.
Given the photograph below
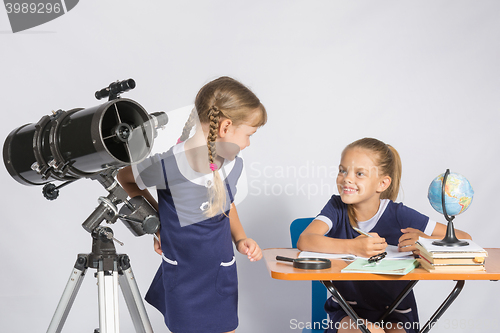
x=371 y=298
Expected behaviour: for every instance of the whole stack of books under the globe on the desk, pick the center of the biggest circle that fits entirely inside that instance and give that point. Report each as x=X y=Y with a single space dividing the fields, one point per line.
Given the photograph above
x=440 y=259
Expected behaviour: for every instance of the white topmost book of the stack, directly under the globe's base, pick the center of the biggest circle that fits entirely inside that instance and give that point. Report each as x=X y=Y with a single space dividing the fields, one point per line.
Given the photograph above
x=429 y=250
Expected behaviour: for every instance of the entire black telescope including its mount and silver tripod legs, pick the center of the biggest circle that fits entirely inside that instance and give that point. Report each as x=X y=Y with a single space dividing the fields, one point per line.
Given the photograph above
x=93 y=143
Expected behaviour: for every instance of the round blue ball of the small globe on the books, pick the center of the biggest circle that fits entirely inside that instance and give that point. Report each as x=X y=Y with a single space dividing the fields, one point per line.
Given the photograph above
x=458 y=194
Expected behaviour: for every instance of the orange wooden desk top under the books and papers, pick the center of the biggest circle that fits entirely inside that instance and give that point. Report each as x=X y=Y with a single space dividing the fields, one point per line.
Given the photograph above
x=285 y=271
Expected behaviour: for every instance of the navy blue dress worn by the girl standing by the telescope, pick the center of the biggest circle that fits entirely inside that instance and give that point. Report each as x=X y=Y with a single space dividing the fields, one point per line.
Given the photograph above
x=196 y=286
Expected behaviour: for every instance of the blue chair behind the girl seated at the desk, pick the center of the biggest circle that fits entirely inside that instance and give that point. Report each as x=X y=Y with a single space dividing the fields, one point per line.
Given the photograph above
x=319 y=293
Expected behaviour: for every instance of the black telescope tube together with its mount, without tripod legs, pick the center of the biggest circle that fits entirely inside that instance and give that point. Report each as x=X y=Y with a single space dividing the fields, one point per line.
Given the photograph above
x=89 y=143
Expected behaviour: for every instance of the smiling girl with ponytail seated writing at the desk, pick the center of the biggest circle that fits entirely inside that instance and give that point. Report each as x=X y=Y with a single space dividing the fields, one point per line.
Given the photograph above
x=368 y=183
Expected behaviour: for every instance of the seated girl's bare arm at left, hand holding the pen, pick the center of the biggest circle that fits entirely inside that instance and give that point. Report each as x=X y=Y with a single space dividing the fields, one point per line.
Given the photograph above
x=313 y=239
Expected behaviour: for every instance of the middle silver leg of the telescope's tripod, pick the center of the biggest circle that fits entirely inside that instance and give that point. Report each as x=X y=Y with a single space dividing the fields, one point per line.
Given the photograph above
x=108 y=299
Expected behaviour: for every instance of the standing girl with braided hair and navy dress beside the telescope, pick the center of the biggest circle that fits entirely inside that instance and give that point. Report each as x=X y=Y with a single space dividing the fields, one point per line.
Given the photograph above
x=196 y=285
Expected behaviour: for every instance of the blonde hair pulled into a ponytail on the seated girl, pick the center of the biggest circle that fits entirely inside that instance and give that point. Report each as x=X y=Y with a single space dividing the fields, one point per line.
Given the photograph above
x=387 y=160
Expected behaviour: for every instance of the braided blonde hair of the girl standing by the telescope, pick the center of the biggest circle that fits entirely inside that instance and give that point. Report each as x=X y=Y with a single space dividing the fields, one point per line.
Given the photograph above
x=224 y=98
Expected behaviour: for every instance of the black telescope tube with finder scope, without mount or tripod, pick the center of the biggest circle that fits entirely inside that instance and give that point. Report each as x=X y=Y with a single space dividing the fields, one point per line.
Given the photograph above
x=78 y=143
